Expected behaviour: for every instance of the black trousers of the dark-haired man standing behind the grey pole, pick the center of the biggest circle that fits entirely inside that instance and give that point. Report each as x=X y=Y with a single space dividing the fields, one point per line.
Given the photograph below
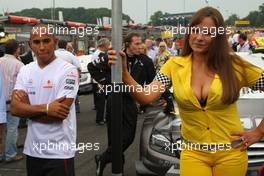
x=129 y=126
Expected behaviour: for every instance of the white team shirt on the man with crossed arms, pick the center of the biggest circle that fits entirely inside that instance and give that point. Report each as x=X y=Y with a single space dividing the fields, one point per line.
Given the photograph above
x=59 y=78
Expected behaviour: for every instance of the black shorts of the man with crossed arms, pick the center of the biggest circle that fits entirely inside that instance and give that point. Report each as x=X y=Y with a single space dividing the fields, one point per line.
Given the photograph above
x=50 y=167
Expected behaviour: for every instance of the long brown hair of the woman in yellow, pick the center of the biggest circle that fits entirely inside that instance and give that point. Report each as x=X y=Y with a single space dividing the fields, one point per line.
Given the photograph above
x=219 y=58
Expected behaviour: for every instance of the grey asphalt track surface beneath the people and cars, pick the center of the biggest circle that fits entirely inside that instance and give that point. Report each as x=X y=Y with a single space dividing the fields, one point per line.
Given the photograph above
x=87 y=133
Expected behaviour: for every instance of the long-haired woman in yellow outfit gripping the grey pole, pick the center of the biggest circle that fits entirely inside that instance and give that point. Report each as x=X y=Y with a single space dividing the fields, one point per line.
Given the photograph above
x=206 y=81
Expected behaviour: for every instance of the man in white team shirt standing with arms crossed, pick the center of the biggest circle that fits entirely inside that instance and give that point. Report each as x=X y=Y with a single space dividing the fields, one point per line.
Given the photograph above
x=44 y=93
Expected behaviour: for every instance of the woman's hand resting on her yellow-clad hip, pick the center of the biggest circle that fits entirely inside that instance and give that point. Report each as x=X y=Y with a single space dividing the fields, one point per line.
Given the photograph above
x=247 y=138
